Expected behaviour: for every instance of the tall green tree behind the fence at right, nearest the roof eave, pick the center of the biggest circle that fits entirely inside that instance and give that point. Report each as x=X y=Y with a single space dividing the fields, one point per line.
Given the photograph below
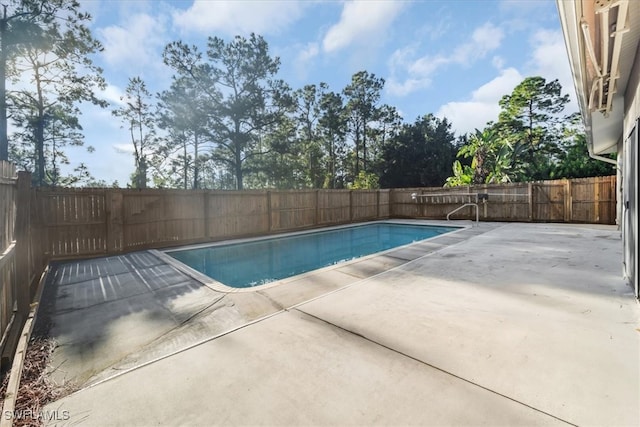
x=532 y=122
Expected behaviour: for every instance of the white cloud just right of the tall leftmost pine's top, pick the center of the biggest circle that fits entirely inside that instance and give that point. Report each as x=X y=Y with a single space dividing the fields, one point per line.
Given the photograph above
x=135 y=44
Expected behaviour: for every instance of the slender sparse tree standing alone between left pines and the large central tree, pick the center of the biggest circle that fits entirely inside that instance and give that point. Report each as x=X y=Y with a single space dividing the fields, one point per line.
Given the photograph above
x=137 y=116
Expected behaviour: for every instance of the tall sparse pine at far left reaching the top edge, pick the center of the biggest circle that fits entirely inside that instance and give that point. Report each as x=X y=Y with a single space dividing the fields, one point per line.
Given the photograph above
x=53 y=73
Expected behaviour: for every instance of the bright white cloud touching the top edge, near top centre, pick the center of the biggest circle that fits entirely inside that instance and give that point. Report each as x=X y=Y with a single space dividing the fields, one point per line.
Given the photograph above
x=361 y=22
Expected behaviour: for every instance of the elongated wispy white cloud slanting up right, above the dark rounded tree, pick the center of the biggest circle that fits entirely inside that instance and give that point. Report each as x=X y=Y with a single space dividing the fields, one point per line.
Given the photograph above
x=419 y=72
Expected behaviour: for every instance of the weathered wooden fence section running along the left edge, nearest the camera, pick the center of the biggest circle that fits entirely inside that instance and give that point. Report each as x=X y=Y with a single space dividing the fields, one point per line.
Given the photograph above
x=22 y=260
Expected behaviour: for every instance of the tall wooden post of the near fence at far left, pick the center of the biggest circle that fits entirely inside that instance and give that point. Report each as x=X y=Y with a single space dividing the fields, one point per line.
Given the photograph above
x=23 y=275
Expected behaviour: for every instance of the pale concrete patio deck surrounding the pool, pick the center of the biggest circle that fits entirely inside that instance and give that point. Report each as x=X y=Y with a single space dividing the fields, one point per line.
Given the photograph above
x=501 y=324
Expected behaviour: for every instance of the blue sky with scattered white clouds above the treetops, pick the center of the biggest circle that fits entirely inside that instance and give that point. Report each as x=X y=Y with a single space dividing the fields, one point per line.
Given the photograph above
x=453 y=58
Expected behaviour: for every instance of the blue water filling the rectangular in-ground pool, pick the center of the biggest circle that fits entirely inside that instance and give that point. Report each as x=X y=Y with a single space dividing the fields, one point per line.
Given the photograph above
x=247 y=264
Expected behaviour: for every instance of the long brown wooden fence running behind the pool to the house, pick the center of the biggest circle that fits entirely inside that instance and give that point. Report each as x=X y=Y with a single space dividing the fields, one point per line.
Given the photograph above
x=88 y=222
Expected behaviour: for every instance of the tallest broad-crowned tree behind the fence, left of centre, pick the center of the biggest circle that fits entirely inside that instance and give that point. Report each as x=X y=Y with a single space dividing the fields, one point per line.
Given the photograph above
x=245 y=98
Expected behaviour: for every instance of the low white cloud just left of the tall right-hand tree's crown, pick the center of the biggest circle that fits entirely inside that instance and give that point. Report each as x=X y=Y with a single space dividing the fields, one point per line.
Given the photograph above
x=466 y=116
